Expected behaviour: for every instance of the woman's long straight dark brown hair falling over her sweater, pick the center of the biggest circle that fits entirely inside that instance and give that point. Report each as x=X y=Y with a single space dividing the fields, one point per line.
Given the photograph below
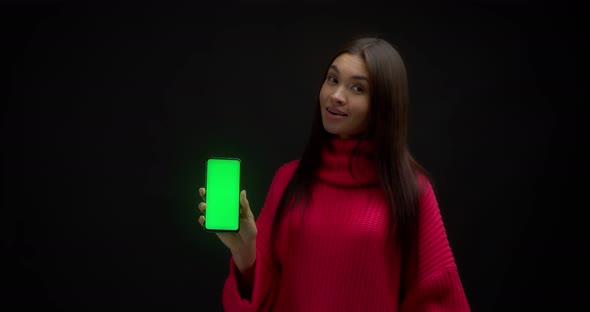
x=387 y=131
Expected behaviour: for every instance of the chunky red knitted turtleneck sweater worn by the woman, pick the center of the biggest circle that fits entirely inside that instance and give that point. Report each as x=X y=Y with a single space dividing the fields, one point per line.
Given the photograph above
x=335 y=256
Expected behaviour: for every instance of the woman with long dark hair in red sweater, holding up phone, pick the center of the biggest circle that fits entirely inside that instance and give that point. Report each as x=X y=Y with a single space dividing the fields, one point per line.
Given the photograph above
x=354 y=225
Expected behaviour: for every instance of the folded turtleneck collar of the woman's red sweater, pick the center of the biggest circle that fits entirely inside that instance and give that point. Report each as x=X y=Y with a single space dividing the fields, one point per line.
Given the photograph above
x=336 y=156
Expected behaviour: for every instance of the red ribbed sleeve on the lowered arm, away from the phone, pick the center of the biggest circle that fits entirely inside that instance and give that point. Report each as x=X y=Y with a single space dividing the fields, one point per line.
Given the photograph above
x=433 y=282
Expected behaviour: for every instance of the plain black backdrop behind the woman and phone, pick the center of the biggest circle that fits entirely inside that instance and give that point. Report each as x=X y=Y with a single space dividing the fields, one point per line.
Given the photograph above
x=112 y=109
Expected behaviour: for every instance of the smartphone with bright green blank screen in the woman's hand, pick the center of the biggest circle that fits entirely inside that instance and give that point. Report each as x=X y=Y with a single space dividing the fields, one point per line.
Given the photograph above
x=223 y=194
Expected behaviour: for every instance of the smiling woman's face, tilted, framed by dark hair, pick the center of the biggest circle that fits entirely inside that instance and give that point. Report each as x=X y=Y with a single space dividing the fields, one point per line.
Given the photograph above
x=345 y=97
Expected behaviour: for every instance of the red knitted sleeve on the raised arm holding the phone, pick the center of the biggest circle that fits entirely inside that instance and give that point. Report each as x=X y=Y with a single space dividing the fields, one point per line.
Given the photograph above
x=255 y=292
